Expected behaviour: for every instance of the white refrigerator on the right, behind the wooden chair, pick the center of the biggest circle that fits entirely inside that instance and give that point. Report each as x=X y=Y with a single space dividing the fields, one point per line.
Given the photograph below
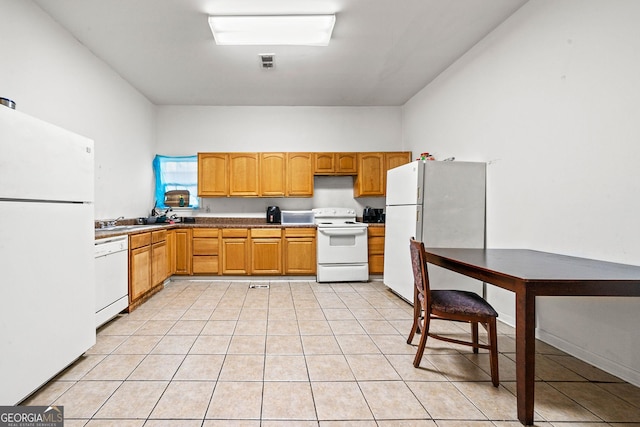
x=441 y=204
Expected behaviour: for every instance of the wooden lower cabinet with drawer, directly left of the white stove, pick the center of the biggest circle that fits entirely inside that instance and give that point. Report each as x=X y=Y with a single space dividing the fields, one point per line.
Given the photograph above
x=299 y=251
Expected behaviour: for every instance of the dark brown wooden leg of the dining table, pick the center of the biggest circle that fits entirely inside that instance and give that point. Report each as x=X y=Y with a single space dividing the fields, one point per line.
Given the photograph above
x=525 y=354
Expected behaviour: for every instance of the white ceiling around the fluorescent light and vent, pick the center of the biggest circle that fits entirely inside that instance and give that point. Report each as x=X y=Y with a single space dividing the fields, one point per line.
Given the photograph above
x=382 y=51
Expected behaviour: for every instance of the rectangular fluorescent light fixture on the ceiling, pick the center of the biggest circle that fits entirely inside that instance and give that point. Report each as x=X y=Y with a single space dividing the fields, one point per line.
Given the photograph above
x=305 y=30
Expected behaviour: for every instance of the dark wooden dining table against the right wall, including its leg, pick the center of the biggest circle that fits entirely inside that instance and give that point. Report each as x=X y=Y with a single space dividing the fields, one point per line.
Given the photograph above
x=530 y=274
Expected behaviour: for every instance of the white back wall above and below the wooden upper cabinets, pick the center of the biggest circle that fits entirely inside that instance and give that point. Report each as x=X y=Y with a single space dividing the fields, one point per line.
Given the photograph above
x=188 y=130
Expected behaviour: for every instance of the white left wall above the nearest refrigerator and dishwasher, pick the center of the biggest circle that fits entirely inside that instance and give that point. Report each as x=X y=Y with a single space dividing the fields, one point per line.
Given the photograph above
x=54 y=78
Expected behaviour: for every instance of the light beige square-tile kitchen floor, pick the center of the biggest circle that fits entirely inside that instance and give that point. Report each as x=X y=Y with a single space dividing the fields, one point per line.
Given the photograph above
x=218 y=353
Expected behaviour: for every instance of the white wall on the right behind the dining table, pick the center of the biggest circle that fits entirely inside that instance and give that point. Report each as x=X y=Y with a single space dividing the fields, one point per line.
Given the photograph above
x=550 y=99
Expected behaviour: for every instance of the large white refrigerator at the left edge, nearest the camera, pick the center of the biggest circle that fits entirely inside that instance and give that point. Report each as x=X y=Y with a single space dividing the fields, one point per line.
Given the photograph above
x=47 y=308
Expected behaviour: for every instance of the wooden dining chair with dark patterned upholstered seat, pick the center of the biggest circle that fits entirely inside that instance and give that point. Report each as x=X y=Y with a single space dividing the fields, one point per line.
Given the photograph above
x=461 y=306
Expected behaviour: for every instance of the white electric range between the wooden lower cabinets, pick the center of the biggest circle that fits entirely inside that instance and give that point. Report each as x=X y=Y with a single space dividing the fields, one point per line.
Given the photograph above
x=342 y=252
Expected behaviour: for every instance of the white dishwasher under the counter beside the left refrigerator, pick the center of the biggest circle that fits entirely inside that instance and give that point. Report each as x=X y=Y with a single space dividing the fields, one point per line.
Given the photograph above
x=112 y=277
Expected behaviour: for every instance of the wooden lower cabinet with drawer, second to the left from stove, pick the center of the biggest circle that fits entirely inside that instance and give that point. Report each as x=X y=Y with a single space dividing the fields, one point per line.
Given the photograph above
x=266 y=251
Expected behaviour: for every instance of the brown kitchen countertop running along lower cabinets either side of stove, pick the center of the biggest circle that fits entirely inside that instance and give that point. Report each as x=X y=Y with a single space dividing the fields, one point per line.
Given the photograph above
x=129 y=228
